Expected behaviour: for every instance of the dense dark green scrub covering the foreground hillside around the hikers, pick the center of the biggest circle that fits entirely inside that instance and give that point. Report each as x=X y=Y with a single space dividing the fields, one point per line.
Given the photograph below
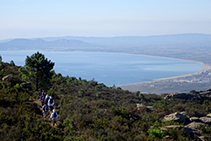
x=89 y=110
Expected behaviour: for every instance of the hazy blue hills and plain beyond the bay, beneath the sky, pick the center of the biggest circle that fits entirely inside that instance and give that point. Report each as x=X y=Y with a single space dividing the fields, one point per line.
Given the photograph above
x=183 y=46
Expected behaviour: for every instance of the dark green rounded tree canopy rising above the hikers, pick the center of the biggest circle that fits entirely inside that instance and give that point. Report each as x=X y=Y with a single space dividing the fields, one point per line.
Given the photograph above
x=37 y=70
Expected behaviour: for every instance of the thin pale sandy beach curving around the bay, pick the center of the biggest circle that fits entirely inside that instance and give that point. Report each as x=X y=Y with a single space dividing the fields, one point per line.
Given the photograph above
x=205 y=68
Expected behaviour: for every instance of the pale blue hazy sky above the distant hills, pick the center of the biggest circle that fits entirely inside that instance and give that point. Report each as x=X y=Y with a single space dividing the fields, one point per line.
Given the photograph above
x=44 y=18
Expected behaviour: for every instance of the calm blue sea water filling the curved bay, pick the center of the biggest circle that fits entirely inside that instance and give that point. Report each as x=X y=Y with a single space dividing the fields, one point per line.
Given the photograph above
x=109 y=68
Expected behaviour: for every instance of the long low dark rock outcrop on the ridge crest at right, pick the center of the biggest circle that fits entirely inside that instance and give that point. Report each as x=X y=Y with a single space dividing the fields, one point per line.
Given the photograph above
x=182 y=96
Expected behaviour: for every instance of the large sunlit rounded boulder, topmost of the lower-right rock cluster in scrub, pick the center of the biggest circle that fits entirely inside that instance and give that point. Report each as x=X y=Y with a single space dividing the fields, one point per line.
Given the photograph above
x=179 y=117
